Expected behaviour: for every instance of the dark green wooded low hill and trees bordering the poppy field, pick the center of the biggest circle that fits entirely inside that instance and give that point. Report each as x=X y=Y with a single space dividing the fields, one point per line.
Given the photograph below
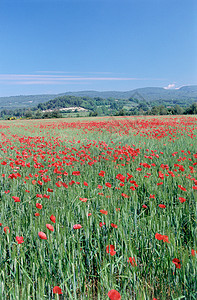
x=97 y=107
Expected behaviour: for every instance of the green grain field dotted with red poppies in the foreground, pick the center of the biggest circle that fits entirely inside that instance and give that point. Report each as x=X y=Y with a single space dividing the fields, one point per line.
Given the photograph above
x=101 y=208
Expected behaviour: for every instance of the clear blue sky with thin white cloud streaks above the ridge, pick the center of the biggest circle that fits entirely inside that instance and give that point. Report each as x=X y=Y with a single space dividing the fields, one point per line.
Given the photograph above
x=54 y=46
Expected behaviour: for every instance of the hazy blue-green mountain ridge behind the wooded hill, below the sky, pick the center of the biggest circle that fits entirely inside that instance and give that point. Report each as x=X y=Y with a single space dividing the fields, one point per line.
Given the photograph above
x=182 y=96
